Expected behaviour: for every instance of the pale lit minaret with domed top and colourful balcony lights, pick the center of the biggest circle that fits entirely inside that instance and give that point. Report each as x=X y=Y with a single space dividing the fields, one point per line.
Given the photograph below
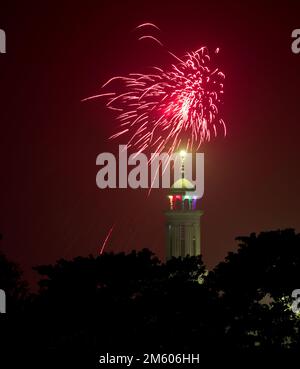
x=182 y=219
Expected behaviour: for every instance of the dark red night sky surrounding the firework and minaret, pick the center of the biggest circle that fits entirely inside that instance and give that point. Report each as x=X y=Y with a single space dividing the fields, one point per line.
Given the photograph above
x=57 y=54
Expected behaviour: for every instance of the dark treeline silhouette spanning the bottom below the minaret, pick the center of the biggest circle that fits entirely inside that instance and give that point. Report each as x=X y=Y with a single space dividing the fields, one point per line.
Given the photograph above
x=133 y=303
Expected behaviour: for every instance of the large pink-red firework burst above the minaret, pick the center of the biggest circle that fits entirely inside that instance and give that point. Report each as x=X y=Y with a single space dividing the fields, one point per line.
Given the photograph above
x=169 y=108
